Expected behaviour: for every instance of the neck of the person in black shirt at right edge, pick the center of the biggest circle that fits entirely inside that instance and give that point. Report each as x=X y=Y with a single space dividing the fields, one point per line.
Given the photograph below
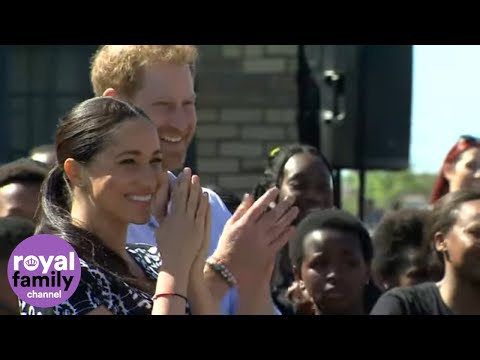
x=459 y=294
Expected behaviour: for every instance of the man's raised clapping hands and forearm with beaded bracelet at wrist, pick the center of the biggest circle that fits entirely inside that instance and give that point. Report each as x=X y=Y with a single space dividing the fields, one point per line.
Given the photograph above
x=247 y=248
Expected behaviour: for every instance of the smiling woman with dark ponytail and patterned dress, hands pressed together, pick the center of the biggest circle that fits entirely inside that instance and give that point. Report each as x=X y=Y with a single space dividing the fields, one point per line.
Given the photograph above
x=108 y=172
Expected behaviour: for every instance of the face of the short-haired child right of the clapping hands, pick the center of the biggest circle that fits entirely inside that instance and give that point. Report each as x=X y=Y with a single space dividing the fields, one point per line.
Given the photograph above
x=334 y=271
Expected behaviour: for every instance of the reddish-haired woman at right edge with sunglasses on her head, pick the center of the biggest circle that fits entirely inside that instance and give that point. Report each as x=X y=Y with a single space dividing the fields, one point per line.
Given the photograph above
x=460 y=169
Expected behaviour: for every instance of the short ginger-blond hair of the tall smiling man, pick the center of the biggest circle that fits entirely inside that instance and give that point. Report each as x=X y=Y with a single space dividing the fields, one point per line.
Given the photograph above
x=121 y=66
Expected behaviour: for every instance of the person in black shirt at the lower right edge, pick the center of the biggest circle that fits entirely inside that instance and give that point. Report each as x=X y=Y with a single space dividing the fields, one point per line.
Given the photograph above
x=454 y=228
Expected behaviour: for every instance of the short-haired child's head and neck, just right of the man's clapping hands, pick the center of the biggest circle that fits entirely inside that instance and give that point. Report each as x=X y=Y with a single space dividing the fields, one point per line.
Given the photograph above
x=331 y=254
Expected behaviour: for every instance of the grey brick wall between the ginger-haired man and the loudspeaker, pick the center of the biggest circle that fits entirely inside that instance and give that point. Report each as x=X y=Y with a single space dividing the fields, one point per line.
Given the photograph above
x=247 y=100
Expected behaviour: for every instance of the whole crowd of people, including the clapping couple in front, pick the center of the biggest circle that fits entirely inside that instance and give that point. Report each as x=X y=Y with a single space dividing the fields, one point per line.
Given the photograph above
x=152 y=242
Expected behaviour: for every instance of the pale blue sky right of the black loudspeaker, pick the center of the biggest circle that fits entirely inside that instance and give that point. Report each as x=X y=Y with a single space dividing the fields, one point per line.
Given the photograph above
x=446 y=101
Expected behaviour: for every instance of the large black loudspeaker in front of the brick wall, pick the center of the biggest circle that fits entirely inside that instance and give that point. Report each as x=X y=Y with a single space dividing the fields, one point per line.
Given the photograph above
x=365 y=104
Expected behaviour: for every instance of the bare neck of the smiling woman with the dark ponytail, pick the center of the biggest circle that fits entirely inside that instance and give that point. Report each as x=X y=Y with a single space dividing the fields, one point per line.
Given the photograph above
x=113 y=233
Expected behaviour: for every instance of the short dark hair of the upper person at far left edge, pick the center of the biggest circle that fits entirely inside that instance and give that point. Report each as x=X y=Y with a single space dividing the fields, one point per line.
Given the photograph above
x=23 y=170
